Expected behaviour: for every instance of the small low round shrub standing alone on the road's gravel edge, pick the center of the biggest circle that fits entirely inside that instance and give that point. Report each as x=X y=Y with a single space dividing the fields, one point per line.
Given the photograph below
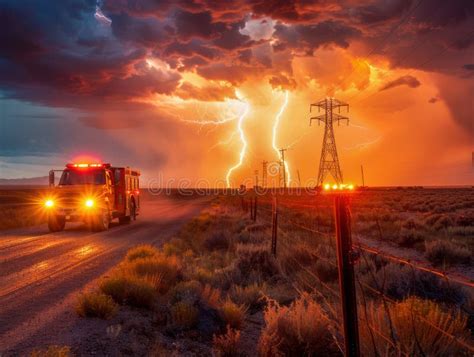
x=96 y=304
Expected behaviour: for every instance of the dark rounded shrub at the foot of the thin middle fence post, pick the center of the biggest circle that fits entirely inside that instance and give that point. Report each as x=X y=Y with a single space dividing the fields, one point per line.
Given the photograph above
x=252 y=258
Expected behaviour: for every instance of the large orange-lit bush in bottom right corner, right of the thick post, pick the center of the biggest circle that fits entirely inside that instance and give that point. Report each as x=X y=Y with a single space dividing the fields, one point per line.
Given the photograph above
x=412 y=316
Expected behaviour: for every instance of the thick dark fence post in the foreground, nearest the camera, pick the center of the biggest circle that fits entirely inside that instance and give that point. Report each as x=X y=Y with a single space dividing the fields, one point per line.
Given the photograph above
x=346 y=259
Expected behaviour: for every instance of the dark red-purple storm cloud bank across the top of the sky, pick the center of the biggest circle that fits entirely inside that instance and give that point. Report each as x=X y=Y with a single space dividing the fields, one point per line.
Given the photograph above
x=62 y=55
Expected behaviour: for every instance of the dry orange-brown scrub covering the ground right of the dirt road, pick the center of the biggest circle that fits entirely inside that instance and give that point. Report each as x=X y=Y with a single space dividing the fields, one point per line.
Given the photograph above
x=215 y=288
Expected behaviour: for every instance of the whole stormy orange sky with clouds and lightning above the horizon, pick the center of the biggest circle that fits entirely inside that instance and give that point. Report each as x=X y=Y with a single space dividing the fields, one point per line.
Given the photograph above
x=177 y=89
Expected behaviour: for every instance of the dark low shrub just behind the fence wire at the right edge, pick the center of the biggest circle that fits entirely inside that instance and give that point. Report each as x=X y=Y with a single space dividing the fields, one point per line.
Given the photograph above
x=443 y=252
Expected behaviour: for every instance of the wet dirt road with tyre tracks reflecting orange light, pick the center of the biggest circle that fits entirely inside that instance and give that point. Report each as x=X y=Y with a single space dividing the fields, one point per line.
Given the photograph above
x=42 y=273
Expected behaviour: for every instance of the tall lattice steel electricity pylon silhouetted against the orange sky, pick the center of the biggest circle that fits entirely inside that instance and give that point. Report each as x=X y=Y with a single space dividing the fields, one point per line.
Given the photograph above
x=329 y=162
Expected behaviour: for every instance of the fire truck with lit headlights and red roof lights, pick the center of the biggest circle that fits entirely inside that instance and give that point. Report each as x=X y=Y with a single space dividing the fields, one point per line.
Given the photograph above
x=93 y=193
